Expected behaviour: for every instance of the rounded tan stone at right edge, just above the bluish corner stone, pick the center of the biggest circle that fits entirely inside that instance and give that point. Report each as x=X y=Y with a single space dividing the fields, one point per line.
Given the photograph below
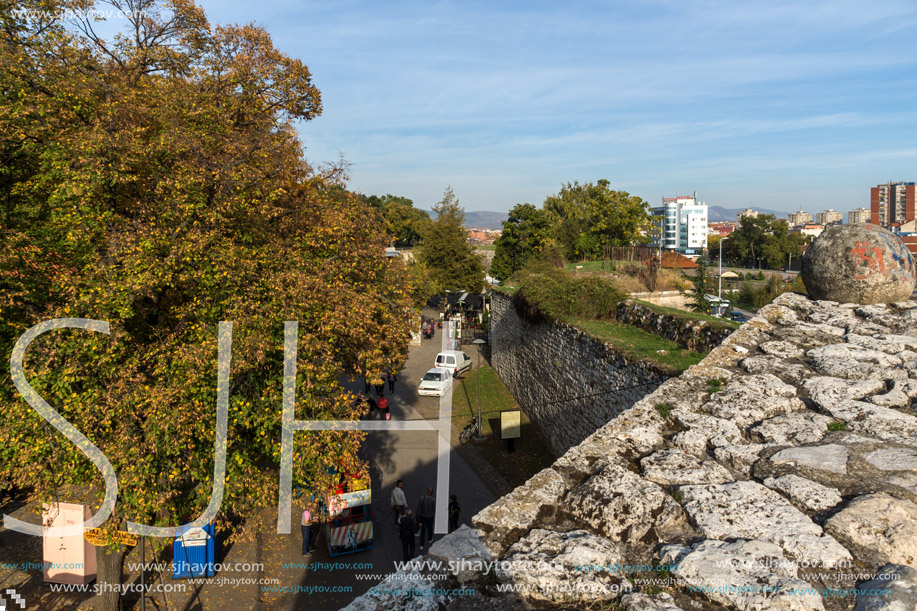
x=880 y=527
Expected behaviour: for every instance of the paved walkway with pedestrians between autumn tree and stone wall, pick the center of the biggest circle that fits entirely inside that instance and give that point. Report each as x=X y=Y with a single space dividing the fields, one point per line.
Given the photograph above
x=392 y=455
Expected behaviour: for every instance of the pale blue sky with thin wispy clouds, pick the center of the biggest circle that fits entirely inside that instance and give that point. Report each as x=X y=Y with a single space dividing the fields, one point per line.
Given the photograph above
x=774 y=104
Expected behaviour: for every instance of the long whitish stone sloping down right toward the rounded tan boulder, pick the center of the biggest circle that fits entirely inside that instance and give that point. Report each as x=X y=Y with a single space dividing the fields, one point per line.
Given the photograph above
x=749 y=510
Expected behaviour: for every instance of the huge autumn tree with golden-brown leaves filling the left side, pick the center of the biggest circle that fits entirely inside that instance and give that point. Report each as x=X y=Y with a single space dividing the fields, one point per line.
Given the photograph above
x=156 y=182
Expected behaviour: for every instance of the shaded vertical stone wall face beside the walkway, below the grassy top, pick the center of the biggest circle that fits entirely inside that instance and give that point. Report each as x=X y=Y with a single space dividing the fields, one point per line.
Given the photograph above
x=543 y=362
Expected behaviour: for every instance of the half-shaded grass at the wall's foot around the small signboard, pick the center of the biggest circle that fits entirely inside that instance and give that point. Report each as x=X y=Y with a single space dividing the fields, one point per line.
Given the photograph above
x=531 y=454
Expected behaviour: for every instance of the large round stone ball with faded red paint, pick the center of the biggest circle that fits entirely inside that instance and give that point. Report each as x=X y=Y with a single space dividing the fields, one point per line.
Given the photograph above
x=858 y=263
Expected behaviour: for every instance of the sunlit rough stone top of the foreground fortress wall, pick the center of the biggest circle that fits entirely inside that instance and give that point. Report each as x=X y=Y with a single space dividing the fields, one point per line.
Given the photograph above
x=779 y=473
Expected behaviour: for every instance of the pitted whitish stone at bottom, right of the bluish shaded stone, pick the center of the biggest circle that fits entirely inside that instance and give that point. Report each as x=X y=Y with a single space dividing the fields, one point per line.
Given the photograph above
x=549 y=565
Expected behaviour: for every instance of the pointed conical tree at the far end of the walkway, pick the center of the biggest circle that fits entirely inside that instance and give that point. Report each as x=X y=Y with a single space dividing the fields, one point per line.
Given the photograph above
x=445 y=250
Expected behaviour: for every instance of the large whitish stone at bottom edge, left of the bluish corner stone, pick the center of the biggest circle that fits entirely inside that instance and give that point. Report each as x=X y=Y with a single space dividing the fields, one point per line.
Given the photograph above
x=744 y=574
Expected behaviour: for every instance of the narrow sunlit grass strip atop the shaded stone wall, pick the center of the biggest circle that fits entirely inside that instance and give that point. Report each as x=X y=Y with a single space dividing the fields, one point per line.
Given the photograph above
x=639 y=344
